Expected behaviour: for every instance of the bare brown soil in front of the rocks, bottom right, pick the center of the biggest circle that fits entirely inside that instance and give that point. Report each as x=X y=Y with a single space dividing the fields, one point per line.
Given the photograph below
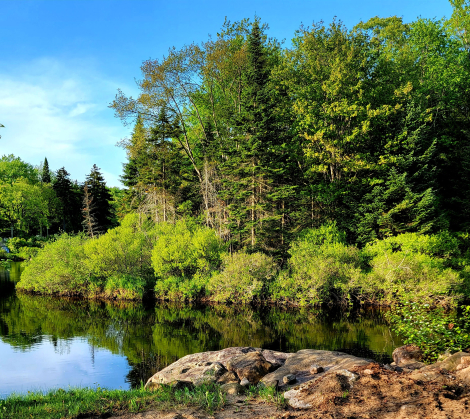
x=378 y=394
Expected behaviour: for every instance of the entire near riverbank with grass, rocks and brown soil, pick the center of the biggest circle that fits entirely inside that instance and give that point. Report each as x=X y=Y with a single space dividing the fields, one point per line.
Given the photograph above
x=305 y=384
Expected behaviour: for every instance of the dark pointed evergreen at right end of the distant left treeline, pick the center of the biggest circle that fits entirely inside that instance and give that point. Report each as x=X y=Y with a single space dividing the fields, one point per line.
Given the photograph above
x=96 y=187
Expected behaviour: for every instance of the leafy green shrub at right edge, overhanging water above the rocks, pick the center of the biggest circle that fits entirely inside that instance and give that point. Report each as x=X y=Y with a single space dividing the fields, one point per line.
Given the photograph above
x=434 y=329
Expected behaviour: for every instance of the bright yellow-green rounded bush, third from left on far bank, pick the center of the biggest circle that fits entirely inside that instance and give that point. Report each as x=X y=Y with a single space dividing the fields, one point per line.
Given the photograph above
x=183 y=258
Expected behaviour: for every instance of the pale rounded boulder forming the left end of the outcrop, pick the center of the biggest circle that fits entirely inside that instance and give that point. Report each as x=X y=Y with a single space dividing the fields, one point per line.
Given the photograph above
x=199 y=367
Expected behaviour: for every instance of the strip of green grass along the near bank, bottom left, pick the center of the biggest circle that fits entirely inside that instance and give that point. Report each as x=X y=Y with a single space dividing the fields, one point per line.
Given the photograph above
x=79 y=402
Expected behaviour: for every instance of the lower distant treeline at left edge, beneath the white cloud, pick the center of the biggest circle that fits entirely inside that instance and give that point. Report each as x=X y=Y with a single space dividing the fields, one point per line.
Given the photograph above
x=37 y=201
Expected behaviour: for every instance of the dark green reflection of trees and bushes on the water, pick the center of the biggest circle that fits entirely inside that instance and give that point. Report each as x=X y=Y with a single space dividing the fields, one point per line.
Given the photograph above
x=152 y=336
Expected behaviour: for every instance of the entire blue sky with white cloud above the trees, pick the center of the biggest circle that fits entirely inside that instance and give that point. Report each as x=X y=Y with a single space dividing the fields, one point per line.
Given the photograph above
x=62 y=61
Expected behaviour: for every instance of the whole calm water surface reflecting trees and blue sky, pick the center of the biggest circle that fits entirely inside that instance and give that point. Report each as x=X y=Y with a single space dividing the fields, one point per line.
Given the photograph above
x=48 y=342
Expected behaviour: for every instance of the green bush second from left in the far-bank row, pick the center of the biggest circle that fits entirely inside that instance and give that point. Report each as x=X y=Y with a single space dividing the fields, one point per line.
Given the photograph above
x=122 y=253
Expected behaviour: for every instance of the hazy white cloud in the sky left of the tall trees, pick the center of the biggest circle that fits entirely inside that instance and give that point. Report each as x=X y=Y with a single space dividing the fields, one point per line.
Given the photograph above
x=59 y=110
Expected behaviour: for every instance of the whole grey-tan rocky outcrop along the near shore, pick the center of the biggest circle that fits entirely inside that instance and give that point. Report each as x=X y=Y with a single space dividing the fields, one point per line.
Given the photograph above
x=309 y=378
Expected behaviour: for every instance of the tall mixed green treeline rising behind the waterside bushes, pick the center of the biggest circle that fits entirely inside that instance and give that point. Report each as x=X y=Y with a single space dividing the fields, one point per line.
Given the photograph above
x=368 y=127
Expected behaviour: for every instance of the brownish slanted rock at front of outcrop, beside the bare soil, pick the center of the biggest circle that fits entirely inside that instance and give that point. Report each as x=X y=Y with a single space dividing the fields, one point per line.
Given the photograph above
x=321 y=390
